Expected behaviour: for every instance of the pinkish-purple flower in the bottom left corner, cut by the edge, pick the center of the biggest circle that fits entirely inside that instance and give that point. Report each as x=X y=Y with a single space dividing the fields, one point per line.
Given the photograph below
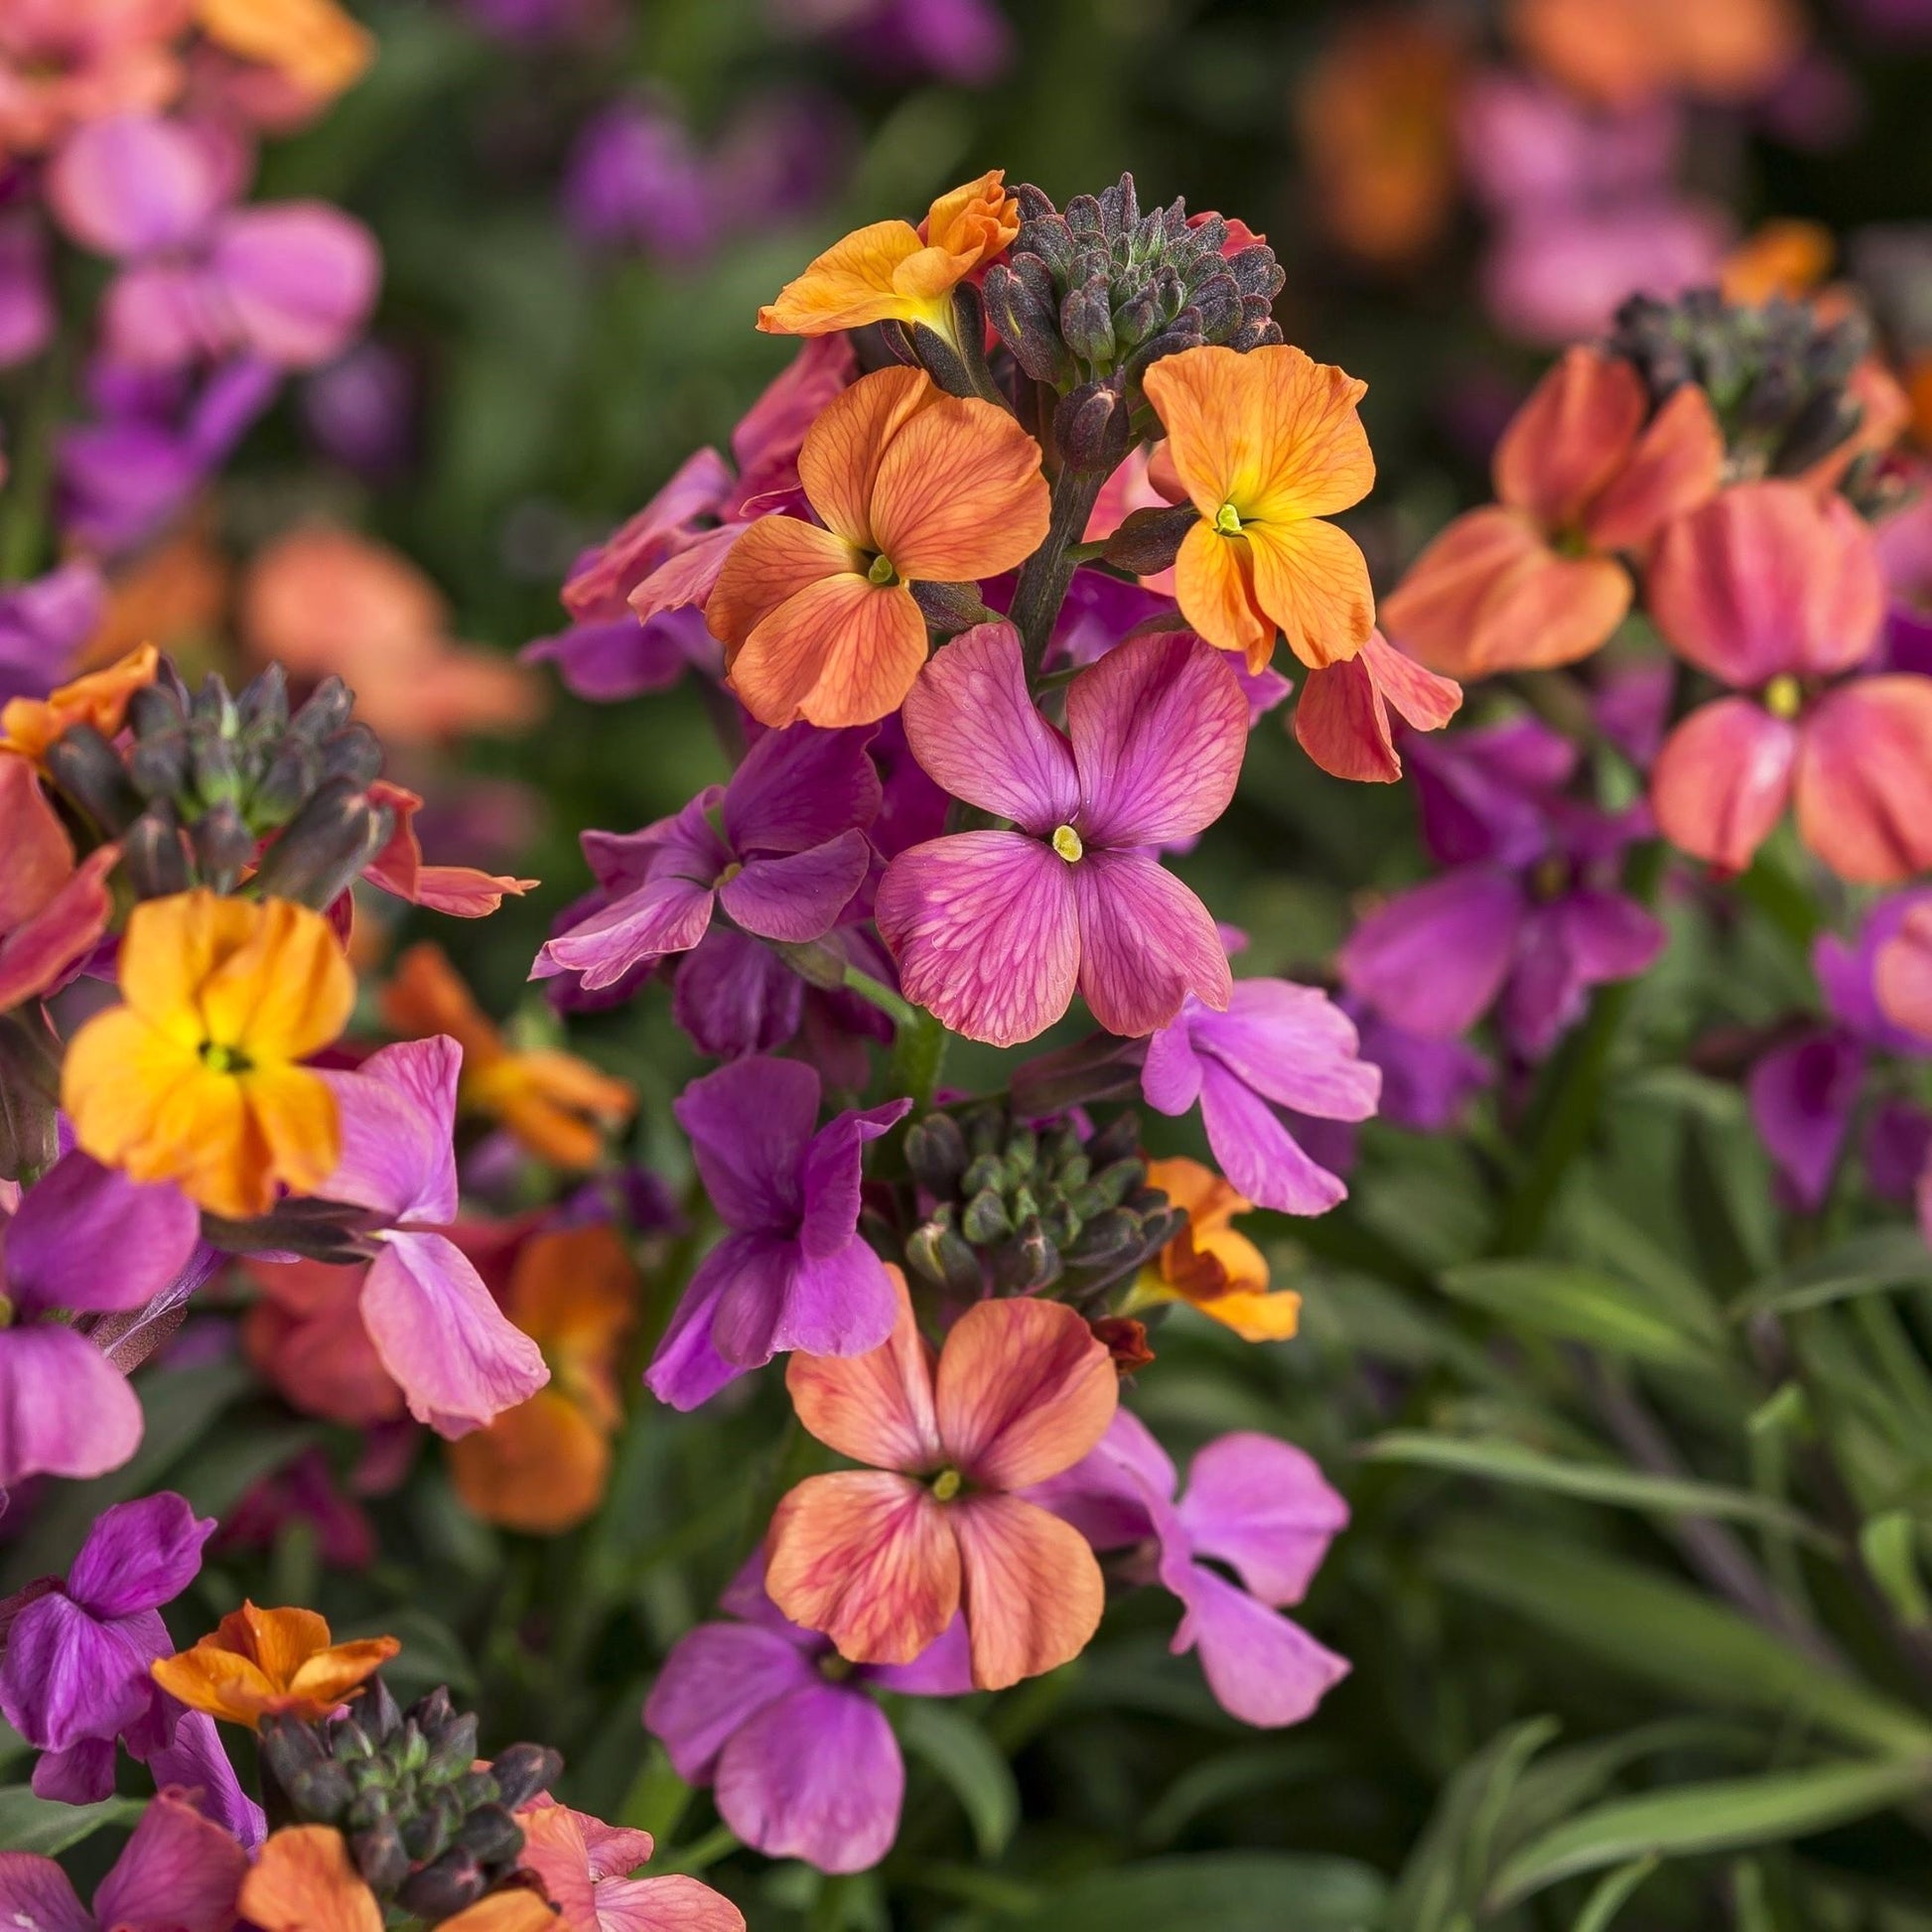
x=179 y=1873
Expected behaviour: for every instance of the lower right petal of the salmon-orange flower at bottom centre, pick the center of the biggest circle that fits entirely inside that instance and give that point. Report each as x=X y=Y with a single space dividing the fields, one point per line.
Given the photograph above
x=1031 y=1589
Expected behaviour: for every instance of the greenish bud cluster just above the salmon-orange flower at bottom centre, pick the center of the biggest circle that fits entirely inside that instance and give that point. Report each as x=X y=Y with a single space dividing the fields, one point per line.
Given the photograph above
x=1023 y=1208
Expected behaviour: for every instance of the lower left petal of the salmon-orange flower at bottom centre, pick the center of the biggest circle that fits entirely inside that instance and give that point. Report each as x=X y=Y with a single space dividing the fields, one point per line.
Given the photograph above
x=868 y=1560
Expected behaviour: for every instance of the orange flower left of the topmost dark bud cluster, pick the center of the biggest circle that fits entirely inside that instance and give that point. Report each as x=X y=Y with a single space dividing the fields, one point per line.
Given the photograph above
x=894 y=273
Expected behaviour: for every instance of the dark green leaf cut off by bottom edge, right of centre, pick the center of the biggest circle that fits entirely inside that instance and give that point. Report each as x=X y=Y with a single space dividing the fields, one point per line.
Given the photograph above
x=1230 y=1892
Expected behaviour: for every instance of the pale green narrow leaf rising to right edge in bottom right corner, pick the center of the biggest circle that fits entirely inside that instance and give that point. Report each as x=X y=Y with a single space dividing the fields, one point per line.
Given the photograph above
x=1701 y=1819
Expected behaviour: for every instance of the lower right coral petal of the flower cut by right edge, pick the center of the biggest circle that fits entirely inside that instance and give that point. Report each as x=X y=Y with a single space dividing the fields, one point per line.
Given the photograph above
x=1865 y=780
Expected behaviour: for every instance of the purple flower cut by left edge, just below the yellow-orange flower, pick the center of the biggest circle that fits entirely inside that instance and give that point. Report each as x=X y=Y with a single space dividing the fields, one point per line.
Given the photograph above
x=86 y=1239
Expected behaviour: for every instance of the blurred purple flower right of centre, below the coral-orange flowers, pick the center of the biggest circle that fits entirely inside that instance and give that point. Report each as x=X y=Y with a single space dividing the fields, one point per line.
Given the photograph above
x=1527 y=919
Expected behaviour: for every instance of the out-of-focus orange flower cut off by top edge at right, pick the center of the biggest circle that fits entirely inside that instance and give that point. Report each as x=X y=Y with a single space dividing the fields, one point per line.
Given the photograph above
x=1630 y=51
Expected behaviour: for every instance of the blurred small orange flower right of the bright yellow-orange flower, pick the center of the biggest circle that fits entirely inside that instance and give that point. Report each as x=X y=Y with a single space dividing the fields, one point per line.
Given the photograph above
x=552 y=1102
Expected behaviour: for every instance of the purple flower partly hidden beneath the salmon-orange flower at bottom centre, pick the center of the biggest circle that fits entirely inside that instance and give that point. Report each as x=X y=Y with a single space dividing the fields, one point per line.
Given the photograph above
x=805 y=1765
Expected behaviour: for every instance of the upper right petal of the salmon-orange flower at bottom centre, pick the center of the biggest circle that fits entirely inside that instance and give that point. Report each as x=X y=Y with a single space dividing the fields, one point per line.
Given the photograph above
x=1025 y=1390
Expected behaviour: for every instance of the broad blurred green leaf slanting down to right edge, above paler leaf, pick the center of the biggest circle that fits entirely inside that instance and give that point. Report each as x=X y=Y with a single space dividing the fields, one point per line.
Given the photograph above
x=1666 y=1634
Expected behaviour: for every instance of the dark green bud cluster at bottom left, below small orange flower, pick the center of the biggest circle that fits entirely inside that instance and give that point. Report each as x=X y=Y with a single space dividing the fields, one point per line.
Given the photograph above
x=428 y=1829
